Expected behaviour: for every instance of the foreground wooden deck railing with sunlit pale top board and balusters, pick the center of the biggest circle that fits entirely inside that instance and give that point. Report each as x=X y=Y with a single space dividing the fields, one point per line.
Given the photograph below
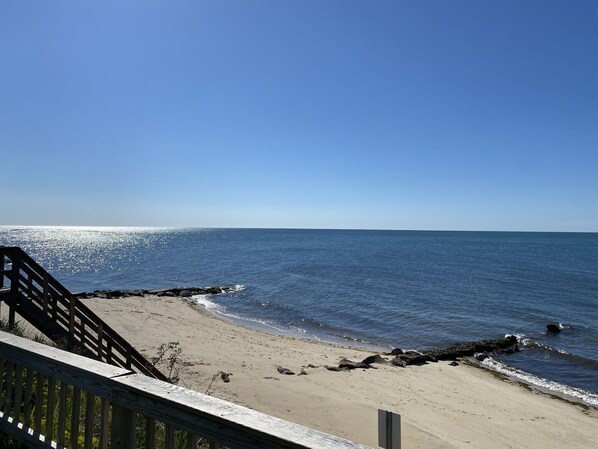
x=53 y=398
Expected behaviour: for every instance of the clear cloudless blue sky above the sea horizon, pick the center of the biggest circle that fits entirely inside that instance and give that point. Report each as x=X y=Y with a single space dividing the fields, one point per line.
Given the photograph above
x=322 y=114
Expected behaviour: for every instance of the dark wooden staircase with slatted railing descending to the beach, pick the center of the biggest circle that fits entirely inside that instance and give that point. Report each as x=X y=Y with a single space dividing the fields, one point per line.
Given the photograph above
x=30 y=291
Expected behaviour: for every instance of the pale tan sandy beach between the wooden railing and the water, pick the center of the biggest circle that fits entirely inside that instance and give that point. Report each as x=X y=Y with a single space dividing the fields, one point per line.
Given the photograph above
x=441 y=406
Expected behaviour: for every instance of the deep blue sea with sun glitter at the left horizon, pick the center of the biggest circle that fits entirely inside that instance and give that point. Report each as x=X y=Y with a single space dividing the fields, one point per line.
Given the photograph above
x=411 y=289
